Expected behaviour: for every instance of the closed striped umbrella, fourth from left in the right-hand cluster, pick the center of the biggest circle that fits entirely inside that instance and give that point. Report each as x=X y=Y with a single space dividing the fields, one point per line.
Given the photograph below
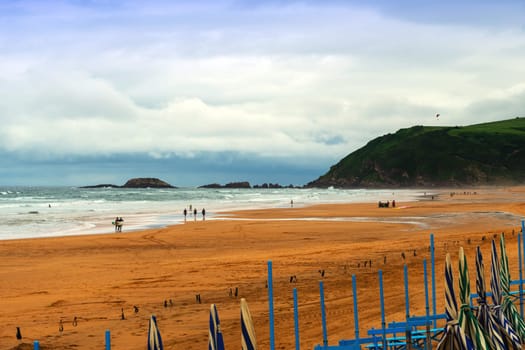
x=512 y=340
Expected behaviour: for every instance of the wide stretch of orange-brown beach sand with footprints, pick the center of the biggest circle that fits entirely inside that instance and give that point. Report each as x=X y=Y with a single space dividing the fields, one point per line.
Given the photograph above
x=96 y=277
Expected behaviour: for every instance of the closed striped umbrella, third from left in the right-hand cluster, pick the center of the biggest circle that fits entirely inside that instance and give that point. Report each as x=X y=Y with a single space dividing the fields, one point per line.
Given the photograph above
x=486 y=317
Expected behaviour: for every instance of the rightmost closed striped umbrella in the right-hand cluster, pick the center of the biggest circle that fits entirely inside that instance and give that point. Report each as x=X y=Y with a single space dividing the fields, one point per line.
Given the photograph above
x=508 y=307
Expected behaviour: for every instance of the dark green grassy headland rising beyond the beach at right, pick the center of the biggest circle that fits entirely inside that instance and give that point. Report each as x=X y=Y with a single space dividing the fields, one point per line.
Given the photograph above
x=488 y=153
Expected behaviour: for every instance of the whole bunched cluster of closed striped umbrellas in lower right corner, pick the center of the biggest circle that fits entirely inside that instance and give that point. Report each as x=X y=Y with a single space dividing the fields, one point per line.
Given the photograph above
x=497 y=326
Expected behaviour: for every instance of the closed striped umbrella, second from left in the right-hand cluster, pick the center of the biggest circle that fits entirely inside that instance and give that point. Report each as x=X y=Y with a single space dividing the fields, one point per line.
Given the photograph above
x=467 y=321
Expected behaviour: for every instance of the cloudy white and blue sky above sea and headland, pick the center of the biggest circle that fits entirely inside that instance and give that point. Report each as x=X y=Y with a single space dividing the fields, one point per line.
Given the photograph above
x=196 y=92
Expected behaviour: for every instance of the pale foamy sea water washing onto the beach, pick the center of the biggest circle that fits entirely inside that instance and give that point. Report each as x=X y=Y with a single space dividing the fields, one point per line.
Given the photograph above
x=28 y=212
